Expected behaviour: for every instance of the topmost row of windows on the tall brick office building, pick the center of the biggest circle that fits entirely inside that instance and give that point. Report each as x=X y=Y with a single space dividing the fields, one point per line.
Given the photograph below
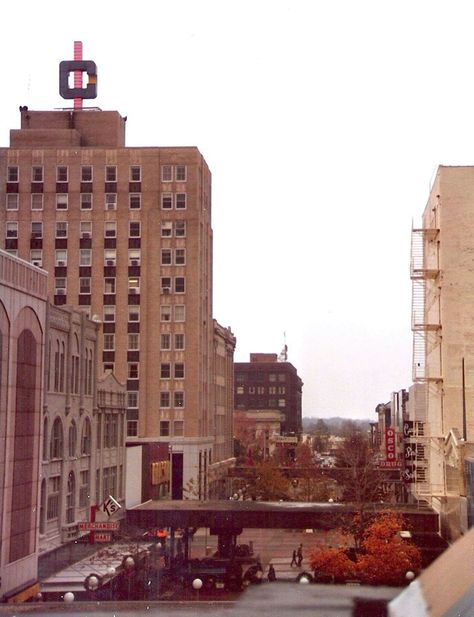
x=168 y=173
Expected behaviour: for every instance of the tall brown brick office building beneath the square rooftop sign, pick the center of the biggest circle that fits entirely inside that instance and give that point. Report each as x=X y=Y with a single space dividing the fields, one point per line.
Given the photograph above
x=125 y=234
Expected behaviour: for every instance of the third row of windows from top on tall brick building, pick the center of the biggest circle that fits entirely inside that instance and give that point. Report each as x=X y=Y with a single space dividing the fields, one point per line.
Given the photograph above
x=168 y=229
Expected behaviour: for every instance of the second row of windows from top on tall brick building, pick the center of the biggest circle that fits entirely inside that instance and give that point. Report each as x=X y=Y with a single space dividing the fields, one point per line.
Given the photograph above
x=178 y=201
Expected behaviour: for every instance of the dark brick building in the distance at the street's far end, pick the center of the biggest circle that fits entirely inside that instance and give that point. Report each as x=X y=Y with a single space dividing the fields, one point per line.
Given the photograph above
x=267 y=383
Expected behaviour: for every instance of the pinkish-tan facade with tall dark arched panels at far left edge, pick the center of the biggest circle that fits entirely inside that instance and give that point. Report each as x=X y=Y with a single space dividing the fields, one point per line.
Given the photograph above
x=22 y=341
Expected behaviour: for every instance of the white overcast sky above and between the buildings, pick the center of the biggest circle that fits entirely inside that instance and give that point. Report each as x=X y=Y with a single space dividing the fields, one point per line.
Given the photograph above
x=323 y=124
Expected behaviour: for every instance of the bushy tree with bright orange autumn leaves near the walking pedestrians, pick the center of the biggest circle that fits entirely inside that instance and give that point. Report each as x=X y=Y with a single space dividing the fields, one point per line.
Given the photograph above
x=383 y=558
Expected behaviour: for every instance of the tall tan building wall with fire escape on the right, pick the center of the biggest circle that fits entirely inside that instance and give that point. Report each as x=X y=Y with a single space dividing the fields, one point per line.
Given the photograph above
x=447 y=331
